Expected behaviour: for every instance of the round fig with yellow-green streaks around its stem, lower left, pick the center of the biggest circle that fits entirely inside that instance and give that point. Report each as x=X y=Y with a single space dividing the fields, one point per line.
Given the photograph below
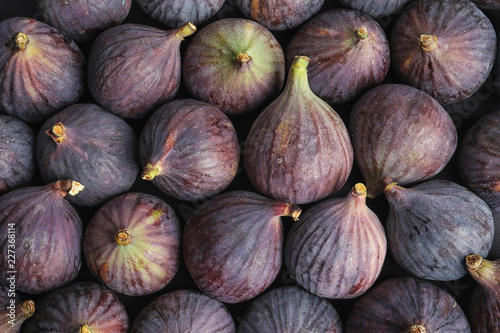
x=132 y=244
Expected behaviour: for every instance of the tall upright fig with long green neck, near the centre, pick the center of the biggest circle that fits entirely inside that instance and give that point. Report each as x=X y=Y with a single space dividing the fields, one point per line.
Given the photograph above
x=298 y=149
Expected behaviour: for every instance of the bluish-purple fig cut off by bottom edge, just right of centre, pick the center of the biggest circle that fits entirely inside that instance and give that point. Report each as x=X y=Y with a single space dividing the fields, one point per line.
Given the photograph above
x=290 y=309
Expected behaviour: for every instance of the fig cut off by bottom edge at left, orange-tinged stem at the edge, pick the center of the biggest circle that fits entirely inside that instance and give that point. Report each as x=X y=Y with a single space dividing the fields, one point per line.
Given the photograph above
x=78 y=305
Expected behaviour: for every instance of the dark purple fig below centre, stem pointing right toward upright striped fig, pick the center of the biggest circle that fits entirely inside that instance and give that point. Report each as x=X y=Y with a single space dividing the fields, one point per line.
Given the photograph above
x=233 y=244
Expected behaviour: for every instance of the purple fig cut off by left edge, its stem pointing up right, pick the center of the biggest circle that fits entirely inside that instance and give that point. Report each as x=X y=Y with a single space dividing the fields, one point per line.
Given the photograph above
x=42 y=238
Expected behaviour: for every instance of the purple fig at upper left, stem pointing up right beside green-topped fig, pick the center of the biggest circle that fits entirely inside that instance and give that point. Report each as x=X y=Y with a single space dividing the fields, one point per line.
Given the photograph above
x=134 y=68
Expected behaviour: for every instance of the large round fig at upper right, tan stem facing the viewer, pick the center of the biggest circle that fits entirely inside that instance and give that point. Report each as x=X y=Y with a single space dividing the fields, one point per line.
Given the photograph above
x=445 y=48
